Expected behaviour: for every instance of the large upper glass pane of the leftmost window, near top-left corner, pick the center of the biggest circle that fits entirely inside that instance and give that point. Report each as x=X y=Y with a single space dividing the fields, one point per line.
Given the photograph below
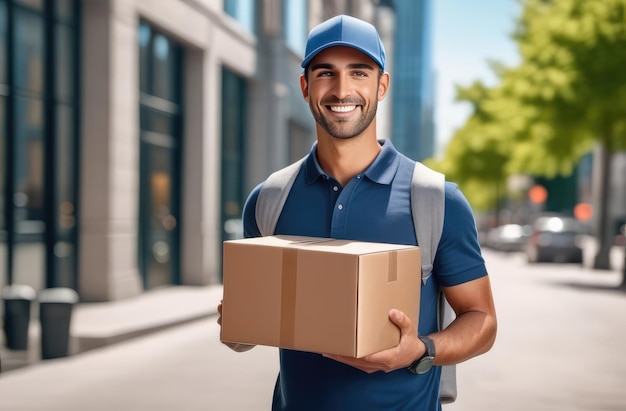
x=29 y=53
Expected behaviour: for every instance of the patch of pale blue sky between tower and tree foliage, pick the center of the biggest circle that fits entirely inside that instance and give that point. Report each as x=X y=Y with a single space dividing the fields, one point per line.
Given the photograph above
x=466 y=35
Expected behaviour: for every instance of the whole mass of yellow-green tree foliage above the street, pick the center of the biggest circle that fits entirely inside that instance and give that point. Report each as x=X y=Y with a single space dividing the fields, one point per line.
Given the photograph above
x=568 y=92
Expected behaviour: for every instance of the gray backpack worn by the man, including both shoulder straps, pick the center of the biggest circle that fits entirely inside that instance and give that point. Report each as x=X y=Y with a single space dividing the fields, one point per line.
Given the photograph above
x=427 y=209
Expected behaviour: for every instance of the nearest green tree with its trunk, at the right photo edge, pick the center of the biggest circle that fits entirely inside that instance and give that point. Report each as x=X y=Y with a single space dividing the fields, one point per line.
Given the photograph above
x=572 y=73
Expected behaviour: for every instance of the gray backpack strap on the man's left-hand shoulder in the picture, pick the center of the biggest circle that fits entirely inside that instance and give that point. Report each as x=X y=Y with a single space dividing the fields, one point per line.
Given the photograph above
x=273 y=195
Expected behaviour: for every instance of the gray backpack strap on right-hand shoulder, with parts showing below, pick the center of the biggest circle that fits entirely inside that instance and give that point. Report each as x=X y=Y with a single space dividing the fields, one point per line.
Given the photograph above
x=428 y=209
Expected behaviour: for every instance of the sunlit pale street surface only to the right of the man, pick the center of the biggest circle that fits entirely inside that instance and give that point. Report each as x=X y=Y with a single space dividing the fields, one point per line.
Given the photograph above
x=560 y=341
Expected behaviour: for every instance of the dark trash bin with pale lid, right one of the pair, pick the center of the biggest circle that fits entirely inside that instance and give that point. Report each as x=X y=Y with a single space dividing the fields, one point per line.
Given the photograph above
x=55 y=315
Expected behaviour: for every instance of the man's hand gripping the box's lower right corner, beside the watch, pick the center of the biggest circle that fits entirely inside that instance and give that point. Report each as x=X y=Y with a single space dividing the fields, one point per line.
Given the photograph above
x=402 y=355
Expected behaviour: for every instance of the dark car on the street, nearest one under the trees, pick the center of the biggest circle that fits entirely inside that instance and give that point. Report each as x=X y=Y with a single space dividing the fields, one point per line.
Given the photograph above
x=555 y=239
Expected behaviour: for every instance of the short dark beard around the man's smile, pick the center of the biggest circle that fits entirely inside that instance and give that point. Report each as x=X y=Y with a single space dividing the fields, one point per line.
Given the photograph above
x=344 y=128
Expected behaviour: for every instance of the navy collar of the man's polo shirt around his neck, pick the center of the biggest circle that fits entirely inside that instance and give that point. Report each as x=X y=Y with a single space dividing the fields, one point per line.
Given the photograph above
x=381 y=171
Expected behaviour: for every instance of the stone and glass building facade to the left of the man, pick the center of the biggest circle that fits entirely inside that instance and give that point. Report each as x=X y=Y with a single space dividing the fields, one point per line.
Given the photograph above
x=133 y=130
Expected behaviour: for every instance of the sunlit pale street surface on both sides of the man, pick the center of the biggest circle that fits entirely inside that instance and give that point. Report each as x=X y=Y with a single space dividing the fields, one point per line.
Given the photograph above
x=559 y=347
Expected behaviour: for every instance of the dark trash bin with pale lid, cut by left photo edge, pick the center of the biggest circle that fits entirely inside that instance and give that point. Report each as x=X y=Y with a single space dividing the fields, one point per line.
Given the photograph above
x=17 y=302
